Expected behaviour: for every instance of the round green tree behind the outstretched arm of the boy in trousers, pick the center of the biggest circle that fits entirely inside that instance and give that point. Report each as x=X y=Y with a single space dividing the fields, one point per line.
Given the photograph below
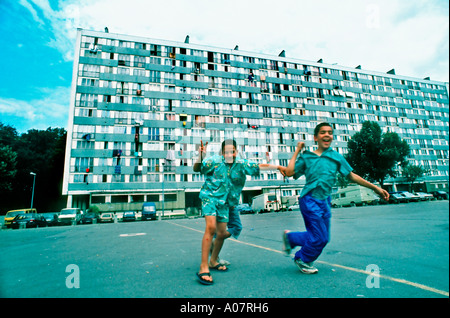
x=374 y=155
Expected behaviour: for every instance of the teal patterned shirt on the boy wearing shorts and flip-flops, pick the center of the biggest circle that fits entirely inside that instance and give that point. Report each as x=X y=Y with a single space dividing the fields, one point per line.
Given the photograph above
x=224 y=182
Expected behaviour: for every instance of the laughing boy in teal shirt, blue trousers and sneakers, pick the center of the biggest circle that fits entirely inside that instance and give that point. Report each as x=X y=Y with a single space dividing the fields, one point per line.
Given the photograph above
x=320 y=168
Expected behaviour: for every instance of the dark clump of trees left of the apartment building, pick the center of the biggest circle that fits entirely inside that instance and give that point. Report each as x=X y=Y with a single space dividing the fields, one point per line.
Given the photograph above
x=38 y=151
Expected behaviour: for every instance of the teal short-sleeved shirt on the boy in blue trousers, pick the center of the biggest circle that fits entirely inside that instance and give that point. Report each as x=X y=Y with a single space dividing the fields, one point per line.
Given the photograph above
x=320 y=172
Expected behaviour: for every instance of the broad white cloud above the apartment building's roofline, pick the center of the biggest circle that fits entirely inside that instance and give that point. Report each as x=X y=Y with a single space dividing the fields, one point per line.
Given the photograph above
x=379 y=35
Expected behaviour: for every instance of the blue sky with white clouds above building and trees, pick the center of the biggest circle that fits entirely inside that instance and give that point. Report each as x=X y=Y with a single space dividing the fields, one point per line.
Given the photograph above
x=38 y=39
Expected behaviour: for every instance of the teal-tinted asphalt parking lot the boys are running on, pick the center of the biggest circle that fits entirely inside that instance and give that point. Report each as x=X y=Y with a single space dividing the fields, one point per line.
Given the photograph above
x=387 y=251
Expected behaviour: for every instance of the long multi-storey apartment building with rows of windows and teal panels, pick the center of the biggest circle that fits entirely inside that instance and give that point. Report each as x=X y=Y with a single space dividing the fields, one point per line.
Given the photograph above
x=140 y=107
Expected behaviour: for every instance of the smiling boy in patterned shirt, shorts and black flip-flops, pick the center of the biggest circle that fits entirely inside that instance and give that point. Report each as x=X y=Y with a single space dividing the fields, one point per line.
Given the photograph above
x=224 y=180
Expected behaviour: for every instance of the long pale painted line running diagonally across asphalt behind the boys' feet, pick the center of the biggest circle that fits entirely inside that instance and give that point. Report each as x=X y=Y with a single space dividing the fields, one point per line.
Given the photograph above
x=356 y=270
